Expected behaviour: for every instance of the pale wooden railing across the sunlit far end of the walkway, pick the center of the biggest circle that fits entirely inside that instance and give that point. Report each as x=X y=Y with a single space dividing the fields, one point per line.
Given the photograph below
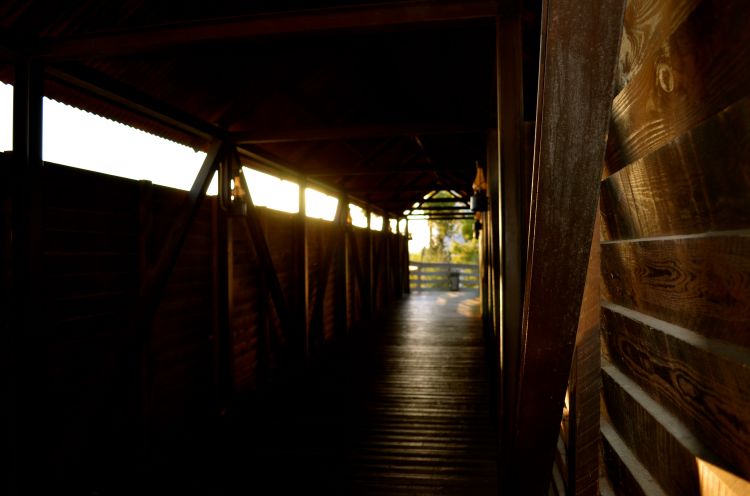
x=424 y=276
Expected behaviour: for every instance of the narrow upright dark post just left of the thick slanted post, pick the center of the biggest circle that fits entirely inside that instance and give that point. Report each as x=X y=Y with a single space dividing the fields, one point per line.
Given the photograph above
x=513 y=224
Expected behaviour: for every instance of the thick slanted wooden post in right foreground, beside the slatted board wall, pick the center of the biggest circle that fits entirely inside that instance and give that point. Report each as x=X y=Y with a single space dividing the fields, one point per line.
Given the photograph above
x=573 y=115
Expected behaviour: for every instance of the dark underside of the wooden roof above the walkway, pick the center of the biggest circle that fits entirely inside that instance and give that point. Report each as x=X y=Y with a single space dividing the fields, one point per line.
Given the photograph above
x=312 y=89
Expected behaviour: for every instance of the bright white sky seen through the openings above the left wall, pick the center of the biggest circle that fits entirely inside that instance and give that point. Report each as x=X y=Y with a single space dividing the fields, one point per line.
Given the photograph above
x=81 y=139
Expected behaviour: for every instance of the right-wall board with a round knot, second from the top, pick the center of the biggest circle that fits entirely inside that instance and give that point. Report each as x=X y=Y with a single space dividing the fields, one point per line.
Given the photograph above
x=699 y=70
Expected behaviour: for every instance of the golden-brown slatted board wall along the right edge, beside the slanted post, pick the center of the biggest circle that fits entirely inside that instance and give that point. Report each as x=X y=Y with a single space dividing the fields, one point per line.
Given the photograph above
x=675 y=254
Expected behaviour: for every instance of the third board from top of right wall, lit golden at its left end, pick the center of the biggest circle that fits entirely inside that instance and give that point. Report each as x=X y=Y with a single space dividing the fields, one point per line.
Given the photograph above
x=696 y=183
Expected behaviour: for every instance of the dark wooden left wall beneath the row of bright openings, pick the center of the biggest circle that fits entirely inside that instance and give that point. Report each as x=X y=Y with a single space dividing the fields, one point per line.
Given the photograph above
x=116 y=399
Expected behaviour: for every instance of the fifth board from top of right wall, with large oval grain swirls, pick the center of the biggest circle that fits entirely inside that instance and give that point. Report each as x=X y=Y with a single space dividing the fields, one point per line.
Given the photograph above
x=706 y=384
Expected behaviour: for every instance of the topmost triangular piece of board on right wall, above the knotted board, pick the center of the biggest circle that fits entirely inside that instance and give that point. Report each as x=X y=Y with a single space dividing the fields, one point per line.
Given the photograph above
x=647 y=24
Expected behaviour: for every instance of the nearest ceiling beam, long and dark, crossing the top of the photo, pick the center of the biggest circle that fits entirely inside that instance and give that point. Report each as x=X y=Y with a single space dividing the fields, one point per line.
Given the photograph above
x=170 y=36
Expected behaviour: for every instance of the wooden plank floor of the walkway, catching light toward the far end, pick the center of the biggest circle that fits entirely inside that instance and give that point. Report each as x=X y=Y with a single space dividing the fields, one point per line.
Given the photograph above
x=426 y=418
